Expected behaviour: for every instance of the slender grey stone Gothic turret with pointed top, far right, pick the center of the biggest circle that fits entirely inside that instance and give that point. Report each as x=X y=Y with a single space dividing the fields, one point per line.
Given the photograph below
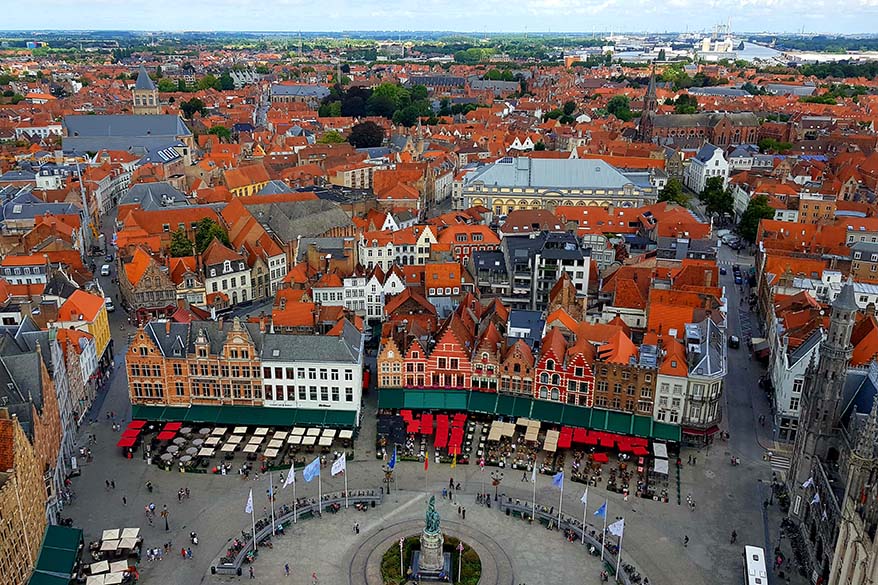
x=821 y=397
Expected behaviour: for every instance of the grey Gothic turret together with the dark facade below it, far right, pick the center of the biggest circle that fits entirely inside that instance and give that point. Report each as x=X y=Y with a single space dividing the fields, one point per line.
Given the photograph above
x=820 y=458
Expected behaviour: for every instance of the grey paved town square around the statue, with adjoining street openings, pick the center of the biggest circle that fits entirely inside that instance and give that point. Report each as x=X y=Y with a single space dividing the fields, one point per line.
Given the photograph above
x=727 y=498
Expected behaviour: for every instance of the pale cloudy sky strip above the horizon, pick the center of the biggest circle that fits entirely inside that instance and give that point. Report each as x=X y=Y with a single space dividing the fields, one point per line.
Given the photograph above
x=840 y=16
